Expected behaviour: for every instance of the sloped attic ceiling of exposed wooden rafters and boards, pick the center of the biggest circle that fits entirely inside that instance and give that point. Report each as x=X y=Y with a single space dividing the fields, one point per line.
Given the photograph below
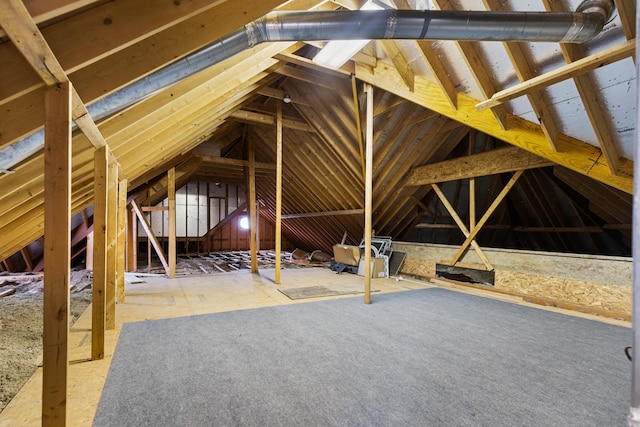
x=582 y=119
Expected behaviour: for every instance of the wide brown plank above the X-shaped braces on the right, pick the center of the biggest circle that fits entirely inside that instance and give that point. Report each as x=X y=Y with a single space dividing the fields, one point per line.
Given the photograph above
x=509 y=159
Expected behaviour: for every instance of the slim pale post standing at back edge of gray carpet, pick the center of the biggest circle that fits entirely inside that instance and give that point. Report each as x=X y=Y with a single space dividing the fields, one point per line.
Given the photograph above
x=368 y=195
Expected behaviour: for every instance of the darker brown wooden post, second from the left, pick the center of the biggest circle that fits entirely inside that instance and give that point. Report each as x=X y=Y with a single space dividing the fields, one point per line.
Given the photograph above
x=98 y=290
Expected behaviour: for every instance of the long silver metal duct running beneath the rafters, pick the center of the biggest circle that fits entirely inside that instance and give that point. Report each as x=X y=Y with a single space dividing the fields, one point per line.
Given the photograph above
x=562 y=27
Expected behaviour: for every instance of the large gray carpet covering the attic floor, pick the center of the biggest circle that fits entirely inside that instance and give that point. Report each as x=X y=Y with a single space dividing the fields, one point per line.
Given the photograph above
x=419 y=358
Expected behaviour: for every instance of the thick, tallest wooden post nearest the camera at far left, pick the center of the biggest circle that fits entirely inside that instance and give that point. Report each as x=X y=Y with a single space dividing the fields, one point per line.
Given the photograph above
x=57 y=253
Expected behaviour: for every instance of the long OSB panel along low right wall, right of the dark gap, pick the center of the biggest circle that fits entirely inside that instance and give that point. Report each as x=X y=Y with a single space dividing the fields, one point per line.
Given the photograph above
x=613 y=298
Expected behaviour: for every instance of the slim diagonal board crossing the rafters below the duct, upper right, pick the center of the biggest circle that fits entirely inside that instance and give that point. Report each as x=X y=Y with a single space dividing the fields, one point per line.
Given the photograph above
x=566 y=72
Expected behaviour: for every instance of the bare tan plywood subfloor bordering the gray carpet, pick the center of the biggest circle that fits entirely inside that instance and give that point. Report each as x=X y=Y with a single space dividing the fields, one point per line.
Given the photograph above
x=158 y=298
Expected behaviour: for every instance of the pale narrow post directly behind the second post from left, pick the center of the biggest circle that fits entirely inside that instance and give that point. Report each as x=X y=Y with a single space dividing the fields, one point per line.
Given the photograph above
x=112 y=242
